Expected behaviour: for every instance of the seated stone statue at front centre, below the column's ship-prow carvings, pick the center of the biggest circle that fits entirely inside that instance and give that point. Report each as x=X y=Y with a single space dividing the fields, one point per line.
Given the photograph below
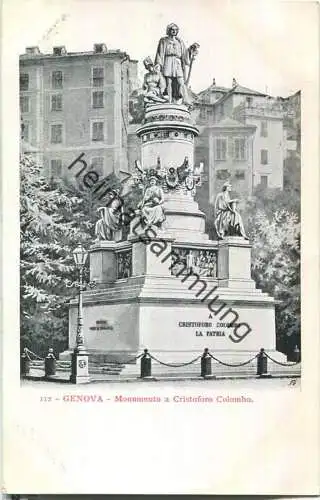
x=151 y=206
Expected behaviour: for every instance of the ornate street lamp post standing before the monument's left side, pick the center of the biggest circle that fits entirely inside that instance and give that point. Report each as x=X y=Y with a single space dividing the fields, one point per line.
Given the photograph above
x=80 y=358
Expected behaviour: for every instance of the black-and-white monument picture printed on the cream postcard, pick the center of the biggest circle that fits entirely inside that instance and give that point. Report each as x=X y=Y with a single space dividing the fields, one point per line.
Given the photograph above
x=160 y=222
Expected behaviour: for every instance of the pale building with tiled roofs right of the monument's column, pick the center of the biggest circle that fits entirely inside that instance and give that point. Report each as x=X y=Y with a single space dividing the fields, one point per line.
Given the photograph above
x=267 y=139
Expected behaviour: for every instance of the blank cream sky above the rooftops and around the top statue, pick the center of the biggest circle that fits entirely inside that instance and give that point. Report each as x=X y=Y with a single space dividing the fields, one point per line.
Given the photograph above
x=264 y=44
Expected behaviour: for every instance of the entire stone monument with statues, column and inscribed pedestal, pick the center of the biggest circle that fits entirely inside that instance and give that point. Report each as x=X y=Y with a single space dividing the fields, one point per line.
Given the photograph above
x=168 y=287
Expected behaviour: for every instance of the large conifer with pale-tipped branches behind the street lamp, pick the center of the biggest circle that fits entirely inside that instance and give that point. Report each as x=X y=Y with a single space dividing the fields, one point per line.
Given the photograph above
x=52 y=223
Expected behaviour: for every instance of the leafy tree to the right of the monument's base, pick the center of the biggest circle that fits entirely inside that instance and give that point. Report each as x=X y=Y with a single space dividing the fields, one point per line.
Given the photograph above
x=276 y=269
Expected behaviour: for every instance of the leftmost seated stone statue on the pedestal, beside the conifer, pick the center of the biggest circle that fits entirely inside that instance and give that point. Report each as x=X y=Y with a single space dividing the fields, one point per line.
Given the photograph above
x=108 y=227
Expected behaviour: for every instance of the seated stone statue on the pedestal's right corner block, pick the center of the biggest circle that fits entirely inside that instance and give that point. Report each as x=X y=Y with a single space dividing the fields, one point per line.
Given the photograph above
x=228 y=221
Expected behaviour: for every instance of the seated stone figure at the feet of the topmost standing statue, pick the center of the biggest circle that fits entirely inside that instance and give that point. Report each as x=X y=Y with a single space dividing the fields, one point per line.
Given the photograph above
x=154 y=83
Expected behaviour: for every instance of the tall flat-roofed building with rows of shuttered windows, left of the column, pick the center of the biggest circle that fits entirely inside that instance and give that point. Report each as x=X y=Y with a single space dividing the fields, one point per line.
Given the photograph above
x=76 y=104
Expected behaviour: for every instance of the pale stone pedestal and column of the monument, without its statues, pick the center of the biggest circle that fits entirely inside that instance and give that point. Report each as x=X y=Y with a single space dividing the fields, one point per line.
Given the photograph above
x=143 y=304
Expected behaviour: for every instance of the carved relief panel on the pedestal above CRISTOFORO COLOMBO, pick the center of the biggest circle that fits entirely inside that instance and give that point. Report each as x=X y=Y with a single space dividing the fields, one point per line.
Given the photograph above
x=202 y=262
